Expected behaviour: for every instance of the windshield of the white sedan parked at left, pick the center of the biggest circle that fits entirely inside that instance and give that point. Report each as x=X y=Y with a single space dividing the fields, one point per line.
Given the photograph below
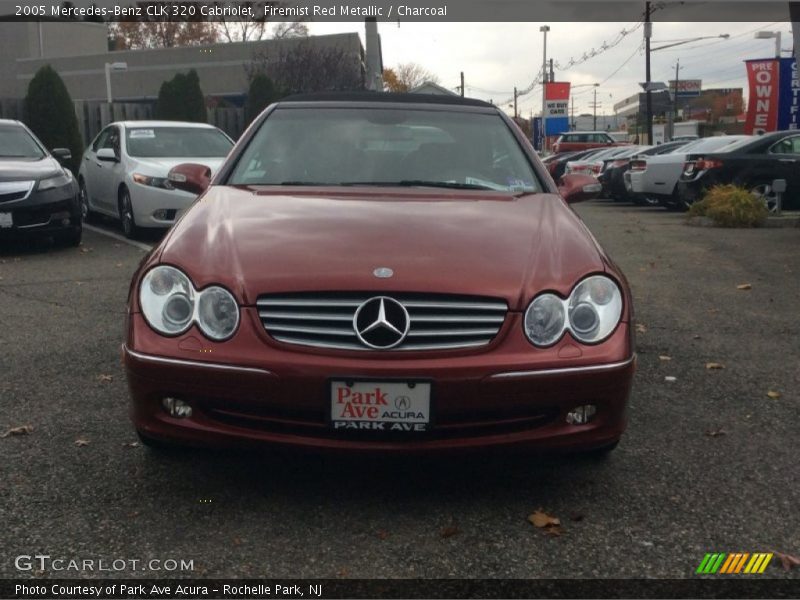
x=177 y=142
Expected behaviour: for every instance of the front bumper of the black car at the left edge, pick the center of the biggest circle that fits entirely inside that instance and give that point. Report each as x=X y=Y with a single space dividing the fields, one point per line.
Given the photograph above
x=41 y=213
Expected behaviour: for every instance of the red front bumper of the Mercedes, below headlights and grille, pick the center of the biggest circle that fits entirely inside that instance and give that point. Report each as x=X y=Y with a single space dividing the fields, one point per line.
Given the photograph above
x=259 y=392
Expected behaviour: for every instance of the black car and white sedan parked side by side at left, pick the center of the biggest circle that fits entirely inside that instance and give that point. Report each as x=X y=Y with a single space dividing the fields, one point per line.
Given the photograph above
x=123 y=174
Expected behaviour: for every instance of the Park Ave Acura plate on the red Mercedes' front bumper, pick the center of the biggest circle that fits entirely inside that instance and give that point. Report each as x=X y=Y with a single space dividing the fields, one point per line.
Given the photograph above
x=380 y=406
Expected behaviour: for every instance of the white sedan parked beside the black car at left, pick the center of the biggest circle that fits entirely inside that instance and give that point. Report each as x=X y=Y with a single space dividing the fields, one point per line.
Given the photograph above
x=124 y=171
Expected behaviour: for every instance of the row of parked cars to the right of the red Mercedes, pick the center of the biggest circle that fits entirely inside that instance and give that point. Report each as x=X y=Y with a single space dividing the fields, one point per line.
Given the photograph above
x=677 y=174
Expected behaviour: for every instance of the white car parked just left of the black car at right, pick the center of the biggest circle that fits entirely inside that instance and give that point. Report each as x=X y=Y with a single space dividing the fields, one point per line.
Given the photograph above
x=657 y=176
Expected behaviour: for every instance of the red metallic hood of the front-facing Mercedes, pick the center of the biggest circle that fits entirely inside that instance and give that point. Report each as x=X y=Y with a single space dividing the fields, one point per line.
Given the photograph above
x=487 y=244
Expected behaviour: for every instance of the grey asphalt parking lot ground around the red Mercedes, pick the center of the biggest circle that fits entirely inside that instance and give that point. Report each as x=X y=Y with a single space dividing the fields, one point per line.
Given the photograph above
x=709 y=462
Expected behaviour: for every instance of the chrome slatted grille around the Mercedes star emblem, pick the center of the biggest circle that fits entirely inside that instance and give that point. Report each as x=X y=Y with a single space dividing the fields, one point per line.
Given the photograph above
x=437 y=321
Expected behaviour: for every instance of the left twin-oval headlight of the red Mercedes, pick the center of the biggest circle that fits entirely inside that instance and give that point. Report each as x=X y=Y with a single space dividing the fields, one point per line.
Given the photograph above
x=171 y=305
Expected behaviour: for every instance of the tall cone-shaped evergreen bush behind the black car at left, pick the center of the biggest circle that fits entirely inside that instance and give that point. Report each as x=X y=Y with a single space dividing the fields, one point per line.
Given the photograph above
x=50 y=114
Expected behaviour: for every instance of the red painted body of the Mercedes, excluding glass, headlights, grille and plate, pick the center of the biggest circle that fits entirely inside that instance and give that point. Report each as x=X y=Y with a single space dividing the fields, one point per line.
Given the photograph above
x=252 y=389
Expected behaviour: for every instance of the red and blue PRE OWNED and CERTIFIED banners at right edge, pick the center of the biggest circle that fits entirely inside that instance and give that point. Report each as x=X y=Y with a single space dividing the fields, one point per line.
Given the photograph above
x=774 y=93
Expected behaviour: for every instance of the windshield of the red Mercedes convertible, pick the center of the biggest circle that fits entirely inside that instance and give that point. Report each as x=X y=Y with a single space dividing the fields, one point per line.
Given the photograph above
x=385 y=146
